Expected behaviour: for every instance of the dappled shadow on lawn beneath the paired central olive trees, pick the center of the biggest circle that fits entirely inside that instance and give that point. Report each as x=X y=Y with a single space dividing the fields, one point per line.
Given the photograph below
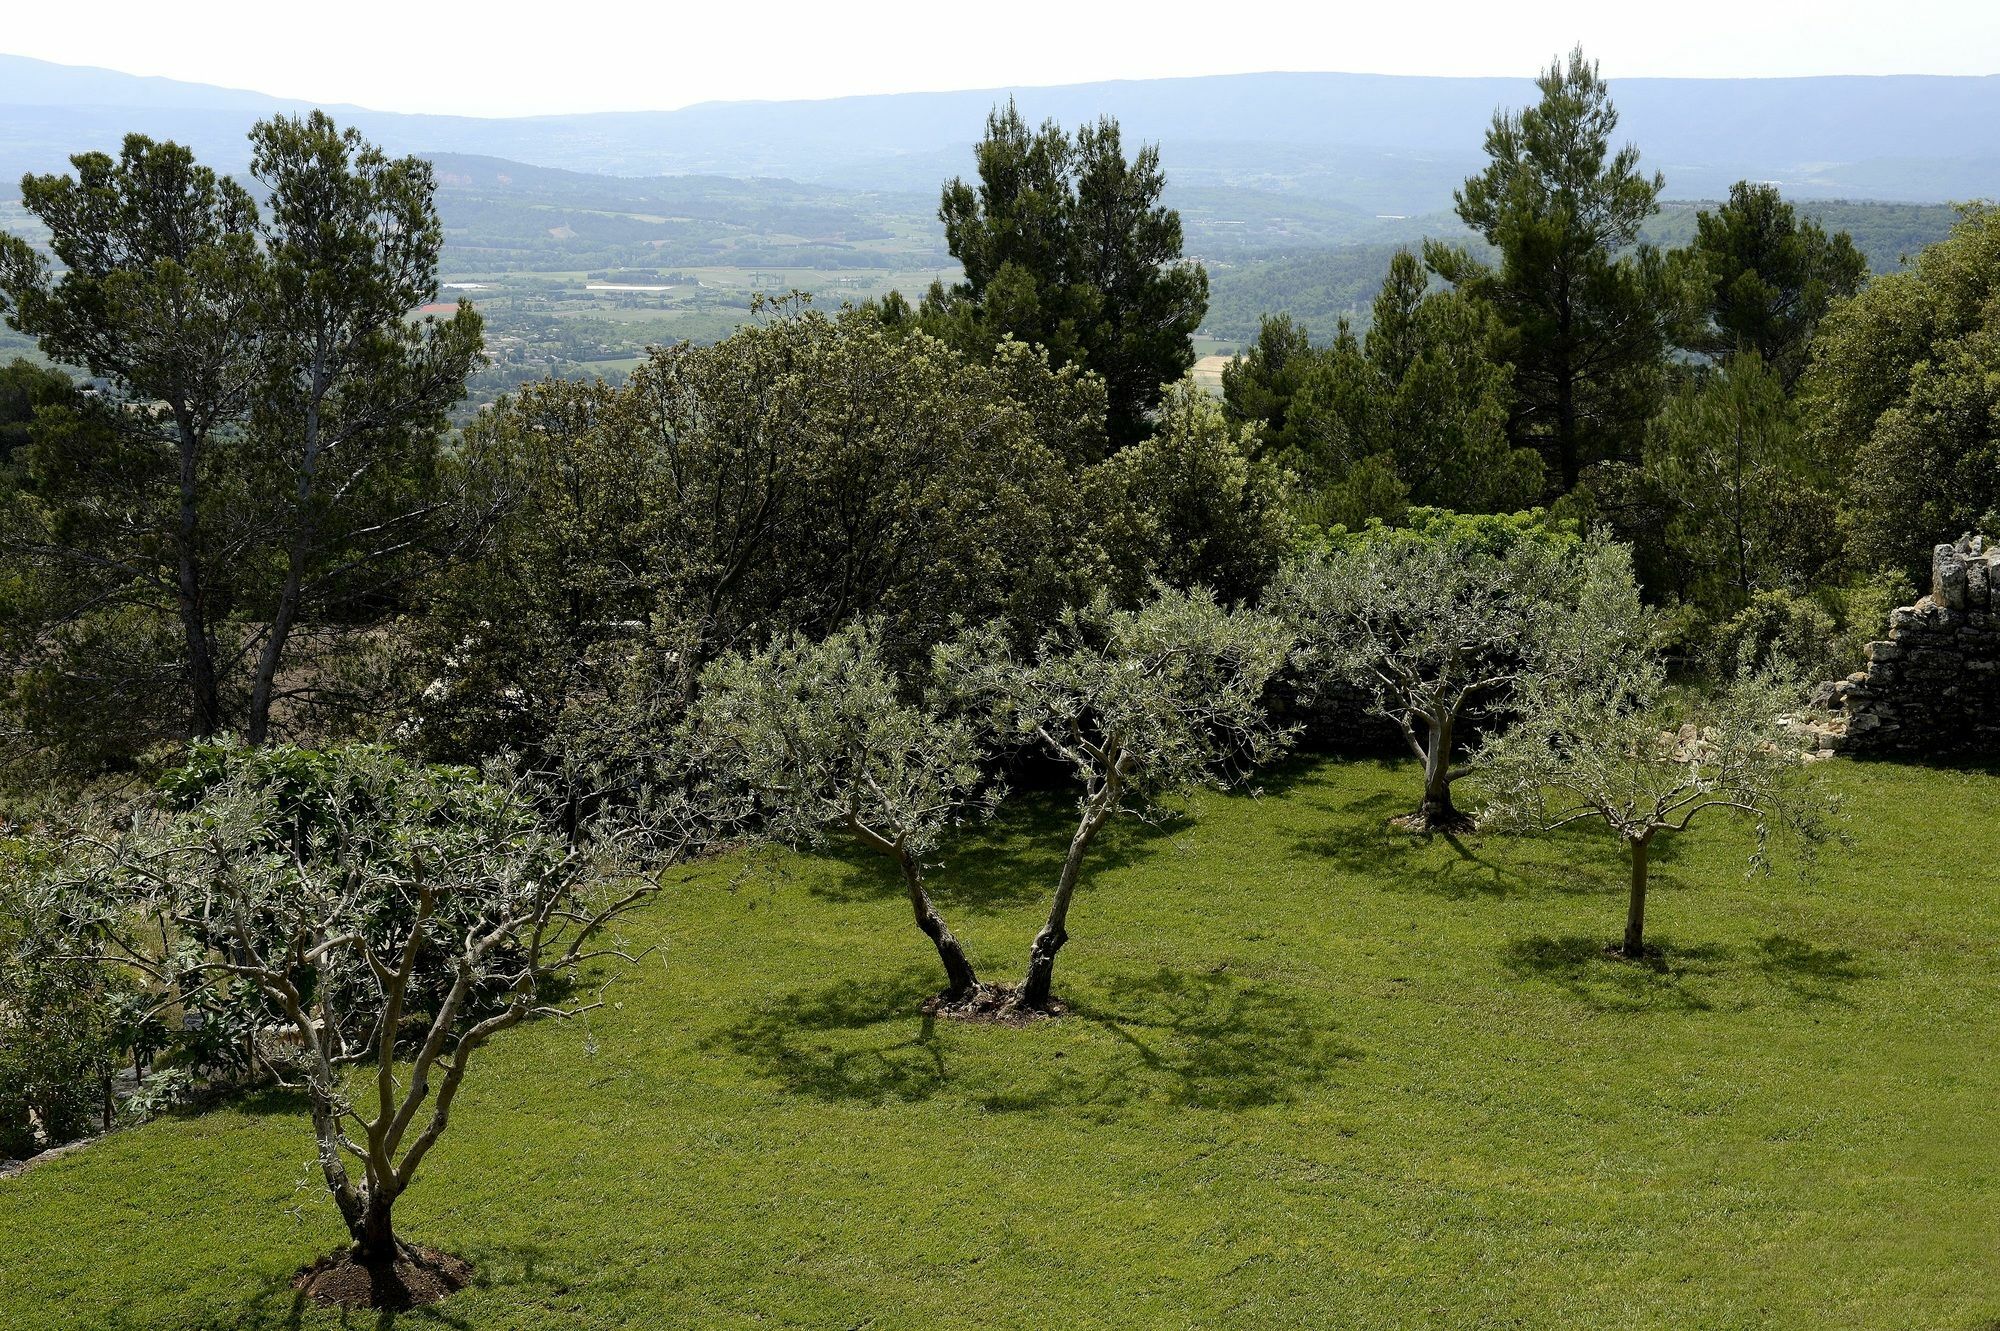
x=1183 y=1040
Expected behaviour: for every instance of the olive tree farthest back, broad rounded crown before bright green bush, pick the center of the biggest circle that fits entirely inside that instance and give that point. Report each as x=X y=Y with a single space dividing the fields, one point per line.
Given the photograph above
x=1439 y=623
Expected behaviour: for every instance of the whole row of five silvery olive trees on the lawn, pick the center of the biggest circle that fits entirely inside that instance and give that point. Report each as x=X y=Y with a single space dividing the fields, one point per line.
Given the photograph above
x=387 y=918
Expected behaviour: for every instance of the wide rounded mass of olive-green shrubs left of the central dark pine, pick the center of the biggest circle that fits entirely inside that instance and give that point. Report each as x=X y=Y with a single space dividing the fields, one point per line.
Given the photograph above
x=789 y=479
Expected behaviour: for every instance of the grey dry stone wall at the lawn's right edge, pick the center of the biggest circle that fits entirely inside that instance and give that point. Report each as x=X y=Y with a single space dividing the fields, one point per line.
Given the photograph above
x=1933 y=686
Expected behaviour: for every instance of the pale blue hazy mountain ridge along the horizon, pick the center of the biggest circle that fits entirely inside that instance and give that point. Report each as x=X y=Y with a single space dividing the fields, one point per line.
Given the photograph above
x=1375 y=143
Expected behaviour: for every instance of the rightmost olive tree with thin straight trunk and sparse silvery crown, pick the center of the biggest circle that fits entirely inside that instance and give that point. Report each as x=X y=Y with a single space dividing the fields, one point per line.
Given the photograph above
x=1601 y=738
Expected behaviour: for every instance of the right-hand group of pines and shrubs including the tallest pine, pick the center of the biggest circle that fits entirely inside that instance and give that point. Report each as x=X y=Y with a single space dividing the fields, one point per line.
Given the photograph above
x=1781 y=441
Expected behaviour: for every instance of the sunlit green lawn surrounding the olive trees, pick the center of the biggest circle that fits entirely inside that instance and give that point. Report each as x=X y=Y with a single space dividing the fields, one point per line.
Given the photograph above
x=1315 y=1076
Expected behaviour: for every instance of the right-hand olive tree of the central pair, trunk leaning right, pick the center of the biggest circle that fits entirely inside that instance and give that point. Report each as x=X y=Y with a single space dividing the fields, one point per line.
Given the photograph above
x=1141 y=704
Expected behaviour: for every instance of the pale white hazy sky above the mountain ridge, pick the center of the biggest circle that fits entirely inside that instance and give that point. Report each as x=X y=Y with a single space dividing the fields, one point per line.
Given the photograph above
x=505 y=57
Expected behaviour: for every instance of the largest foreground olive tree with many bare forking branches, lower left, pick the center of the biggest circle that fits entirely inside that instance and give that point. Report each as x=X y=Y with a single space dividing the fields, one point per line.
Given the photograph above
x=385 y=918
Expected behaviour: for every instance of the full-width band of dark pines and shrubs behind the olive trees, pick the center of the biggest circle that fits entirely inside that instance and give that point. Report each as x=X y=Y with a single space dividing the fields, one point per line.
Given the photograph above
x=255 y=521
